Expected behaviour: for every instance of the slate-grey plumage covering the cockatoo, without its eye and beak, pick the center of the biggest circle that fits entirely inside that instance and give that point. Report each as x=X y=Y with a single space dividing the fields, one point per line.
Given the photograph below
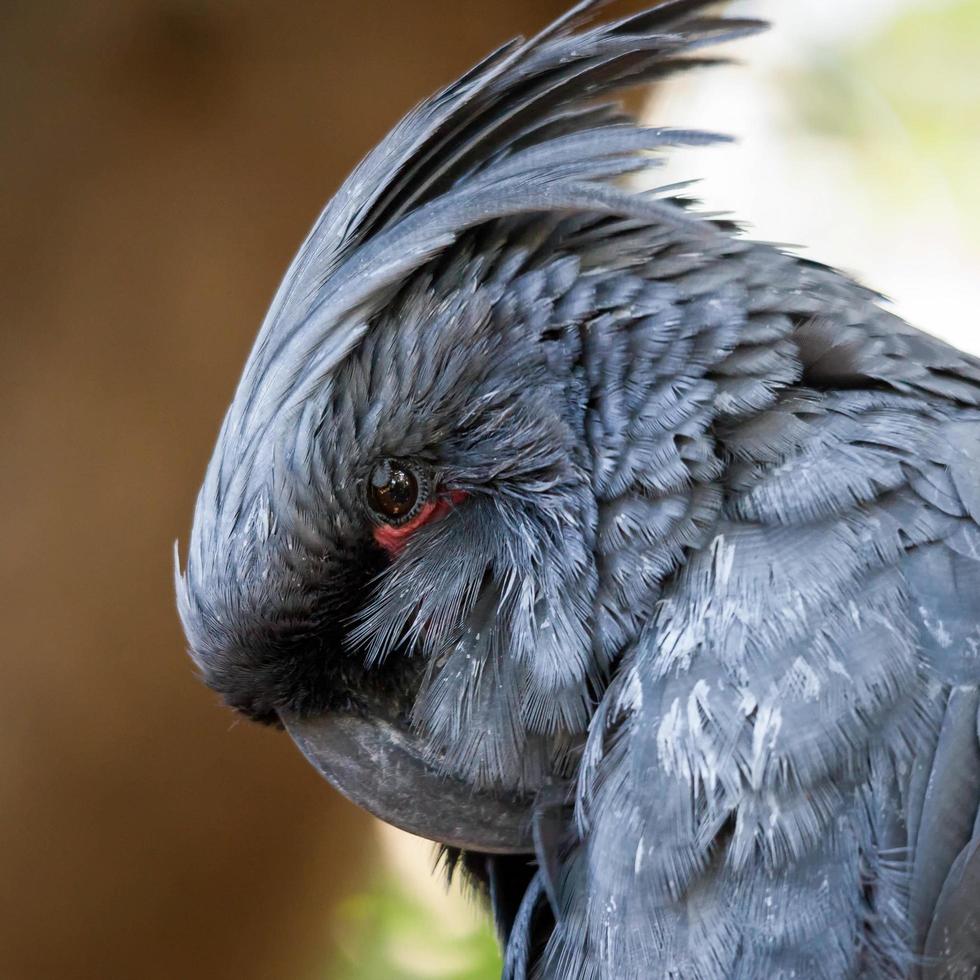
x=715 y=583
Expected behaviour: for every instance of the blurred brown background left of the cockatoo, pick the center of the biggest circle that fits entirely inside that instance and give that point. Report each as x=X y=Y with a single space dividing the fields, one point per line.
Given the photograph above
x=160 y=160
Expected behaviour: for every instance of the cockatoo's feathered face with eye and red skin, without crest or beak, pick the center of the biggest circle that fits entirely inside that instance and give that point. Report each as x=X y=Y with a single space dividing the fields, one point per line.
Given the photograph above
x=407 y=542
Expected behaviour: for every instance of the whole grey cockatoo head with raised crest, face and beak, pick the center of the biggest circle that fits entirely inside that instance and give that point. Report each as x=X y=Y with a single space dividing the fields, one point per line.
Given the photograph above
x=393 y=548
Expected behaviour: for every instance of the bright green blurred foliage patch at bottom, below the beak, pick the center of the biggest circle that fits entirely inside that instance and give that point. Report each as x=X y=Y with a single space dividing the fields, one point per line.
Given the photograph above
x=385 y=934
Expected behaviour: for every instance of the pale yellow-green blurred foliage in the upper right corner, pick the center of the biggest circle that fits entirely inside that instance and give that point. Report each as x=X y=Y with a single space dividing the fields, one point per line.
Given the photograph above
x=907 y=101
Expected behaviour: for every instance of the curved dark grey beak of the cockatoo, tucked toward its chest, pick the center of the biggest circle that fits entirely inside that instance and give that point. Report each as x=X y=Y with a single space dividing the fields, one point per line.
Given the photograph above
x=377 y=762
